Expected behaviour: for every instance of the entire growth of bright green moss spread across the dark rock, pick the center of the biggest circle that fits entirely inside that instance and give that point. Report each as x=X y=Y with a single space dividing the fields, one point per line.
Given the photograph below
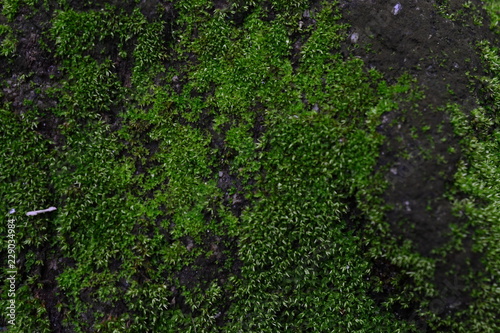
x=219 y=180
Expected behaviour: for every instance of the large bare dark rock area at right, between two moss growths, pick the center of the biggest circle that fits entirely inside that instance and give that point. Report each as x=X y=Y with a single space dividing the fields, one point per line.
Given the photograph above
x=421 y=153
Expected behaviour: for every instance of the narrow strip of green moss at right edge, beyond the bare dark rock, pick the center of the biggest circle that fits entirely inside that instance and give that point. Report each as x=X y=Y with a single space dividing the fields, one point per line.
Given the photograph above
x=477 y=187
